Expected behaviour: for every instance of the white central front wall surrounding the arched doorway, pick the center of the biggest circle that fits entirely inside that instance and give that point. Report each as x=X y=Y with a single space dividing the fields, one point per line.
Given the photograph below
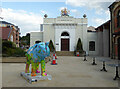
x=76 y=27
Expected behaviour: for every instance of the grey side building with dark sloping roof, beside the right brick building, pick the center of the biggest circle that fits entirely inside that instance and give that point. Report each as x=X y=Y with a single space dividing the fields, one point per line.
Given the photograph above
x=103 y=33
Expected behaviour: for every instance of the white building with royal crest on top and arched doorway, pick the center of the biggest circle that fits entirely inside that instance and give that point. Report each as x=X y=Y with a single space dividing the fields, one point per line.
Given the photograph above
x=65 y=31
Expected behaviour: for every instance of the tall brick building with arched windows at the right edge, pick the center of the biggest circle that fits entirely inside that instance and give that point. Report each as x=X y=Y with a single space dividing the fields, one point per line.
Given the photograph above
x=115 y=30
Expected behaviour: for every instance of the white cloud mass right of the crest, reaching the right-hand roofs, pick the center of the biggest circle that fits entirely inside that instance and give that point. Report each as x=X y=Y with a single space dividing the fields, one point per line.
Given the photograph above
x=100 y=7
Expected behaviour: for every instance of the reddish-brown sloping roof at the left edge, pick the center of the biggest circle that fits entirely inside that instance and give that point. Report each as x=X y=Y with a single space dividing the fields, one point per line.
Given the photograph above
x=5 y=32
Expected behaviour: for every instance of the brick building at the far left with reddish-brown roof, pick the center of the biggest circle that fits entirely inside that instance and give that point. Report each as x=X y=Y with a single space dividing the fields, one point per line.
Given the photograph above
x=9 y=32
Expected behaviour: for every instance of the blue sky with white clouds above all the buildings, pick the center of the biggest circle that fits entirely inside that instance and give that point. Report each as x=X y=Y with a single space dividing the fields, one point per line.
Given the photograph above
x=28 y=14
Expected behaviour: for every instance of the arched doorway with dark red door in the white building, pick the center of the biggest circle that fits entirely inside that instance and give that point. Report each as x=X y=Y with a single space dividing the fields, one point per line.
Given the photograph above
x=65 y=41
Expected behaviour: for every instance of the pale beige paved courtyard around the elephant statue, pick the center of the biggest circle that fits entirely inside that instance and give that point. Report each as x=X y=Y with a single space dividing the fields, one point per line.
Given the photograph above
x=70 y=72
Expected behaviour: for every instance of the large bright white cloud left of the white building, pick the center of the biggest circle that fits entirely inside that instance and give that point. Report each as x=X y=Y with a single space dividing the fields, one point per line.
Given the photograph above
x=26 y=21
